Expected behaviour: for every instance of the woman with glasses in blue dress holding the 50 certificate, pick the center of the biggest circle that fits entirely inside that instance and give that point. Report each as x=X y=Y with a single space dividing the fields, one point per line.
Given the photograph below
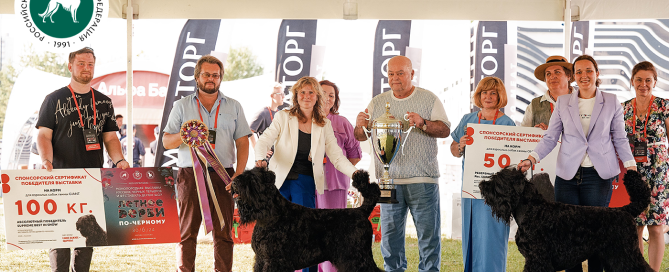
x=484 y=238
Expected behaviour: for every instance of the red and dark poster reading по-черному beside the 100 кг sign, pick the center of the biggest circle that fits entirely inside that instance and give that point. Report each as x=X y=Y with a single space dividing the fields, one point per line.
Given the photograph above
x=141 y=206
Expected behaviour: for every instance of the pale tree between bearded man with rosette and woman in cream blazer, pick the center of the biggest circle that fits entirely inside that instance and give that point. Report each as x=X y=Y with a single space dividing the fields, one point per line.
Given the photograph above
x=241 y=63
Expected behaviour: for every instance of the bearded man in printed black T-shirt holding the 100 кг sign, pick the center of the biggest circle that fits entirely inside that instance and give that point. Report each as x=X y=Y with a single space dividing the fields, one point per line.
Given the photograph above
x=72 y=123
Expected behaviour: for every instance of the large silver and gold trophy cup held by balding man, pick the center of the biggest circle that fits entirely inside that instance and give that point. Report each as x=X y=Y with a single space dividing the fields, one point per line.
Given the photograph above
x=387 y=134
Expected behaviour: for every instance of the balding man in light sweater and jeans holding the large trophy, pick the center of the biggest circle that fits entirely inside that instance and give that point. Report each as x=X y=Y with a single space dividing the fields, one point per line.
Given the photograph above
x=414 y=174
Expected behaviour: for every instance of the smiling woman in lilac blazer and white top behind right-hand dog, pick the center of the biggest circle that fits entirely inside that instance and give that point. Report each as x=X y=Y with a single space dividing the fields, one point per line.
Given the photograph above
x=593 y=131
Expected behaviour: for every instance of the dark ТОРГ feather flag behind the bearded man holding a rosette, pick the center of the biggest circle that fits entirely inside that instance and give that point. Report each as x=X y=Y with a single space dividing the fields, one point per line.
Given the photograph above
x=198 y=38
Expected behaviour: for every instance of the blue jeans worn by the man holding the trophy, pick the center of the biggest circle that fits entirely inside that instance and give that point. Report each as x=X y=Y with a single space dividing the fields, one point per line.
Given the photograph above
x=422 y=199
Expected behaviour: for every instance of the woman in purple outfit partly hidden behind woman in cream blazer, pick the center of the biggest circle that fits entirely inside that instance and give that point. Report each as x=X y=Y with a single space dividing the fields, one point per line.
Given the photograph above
x=336 y=183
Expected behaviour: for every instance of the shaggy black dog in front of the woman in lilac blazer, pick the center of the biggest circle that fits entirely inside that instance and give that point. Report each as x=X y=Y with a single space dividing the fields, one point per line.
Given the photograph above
x=555 y=236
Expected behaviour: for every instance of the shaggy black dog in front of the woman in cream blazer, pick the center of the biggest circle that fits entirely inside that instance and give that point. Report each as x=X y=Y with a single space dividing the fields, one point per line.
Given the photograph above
x=288 y=236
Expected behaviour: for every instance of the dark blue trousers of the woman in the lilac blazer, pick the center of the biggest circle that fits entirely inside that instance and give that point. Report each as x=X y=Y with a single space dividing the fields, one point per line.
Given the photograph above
x=586 y=188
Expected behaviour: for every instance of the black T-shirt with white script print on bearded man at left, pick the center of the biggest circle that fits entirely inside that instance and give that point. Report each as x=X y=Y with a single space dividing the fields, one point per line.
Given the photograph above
x=59 y=113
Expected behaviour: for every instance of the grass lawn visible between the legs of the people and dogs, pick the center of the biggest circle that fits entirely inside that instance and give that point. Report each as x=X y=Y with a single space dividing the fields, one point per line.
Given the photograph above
x=162 y=257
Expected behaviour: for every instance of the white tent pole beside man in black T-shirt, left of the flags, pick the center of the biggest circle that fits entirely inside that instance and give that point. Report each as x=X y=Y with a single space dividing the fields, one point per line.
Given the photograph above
x=130 y=136
